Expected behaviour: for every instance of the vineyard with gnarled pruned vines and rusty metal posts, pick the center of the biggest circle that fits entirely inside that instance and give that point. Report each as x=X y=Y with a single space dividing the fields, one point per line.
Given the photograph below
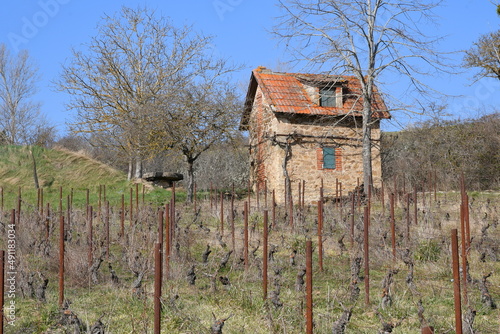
x=105 y=259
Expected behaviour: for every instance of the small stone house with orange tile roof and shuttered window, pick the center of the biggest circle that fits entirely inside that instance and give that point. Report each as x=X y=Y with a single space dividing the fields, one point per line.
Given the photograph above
x=306 y=128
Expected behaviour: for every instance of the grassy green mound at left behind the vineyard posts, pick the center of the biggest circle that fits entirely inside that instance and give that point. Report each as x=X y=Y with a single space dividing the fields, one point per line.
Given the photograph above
x=57 y=168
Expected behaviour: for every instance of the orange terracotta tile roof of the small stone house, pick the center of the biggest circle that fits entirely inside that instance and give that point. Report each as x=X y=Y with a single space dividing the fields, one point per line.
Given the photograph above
x=286 y=93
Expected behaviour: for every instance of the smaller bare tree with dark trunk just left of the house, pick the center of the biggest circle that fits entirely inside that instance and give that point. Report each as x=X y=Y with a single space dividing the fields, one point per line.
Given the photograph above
x=205 y=114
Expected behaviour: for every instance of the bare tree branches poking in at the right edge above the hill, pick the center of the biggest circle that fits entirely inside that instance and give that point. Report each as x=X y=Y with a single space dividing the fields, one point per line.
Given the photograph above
x=485 y=54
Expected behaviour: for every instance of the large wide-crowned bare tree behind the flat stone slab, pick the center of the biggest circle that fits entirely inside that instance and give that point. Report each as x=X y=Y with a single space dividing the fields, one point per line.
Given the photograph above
x=137 y=62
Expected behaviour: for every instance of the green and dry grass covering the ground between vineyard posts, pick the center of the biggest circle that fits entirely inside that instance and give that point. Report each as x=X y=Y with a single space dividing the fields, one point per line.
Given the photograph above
x=191 y=309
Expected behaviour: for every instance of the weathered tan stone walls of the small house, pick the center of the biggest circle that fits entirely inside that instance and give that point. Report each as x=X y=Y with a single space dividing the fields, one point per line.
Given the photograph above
x=292 y=143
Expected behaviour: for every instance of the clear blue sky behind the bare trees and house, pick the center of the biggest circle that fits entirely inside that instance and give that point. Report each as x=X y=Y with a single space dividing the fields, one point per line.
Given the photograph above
x=48 y=29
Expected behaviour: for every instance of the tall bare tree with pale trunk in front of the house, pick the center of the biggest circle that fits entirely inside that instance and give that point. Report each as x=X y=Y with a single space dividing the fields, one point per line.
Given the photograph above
x=364 y=38
